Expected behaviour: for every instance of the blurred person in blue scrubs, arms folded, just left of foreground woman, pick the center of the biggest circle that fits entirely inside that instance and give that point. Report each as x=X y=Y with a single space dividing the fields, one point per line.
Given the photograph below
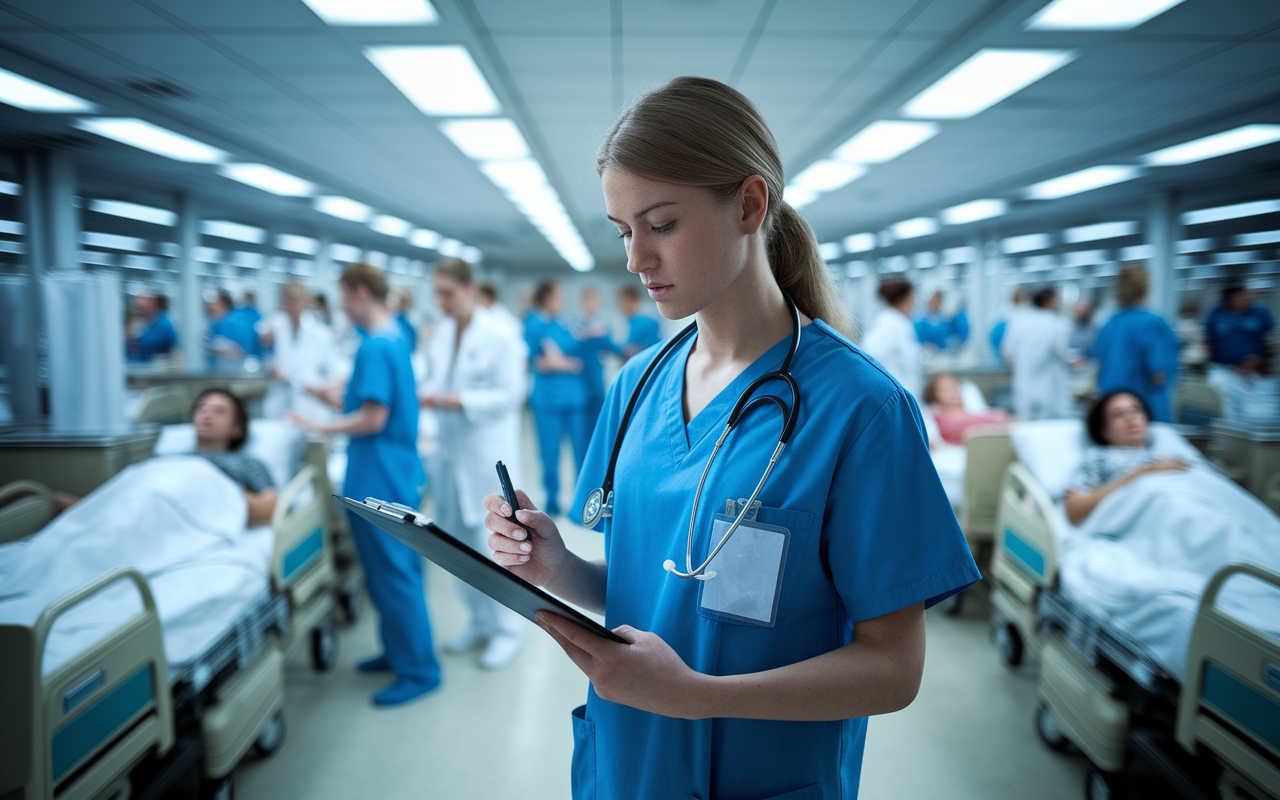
x=560 y=396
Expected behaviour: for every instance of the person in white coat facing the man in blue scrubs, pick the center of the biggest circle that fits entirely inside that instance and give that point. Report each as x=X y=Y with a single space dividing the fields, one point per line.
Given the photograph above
x=477 y=386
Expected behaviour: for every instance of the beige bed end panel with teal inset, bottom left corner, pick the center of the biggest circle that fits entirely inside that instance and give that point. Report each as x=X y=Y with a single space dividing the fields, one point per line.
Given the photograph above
x=95 y=716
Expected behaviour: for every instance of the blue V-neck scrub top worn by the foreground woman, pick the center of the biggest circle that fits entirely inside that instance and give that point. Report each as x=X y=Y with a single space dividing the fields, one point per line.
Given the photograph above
x=871 y=528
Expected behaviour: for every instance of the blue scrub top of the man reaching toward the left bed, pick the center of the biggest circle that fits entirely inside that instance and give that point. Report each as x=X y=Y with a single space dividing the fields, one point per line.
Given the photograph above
x=385 y=465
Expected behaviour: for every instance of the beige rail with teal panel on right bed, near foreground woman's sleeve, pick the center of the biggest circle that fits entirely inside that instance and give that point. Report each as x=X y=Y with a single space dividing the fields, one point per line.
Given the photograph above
x=1026 y=554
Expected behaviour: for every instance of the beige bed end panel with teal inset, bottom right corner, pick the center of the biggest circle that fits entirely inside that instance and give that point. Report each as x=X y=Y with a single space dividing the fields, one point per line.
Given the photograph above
x=1231 y=700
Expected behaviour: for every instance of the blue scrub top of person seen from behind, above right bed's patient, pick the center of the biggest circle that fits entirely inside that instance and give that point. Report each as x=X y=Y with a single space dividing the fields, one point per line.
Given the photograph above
x=1132 y=348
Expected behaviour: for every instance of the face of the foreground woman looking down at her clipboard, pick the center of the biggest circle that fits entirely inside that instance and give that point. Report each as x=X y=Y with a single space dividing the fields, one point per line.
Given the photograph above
x=687 y=244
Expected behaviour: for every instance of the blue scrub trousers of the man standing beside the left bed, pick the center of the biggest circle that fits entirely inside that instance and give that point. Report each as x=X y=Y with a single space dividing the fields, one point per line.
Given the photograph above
x=394 y=573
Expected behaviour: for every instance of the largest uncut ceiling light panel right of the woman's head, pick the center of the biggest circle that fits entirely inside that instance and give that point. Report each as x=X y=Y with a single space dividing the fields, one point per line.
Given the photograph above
x=985 y=80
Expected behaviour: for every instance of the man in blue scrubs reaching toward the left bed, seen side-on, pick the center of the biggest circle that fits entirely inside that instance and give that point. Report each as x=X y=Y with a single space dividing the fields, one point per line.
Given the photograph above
x=382 y=461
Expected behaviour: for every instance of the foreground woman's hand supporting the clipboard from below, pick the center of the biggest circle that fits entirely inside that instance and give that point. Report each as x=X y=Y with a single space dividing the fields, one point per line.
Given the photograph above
x=646 y=674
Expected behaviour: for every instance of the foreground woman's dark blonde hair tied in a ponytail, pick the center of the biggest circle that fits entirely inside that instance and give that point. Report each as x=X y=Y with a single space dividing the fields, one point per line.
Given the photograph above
x=701 y=132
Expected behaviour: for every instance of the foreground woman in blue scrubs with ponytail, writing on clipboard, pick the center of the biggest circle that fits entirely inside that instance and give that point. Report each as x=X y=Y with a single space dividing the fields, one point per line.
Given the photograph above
x=703 y=703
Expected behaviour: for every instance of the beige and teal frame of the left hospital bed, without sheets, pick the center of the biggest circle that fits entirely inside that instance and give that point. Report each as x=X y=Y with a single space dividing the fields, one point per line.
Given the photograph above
x=116 y=717
